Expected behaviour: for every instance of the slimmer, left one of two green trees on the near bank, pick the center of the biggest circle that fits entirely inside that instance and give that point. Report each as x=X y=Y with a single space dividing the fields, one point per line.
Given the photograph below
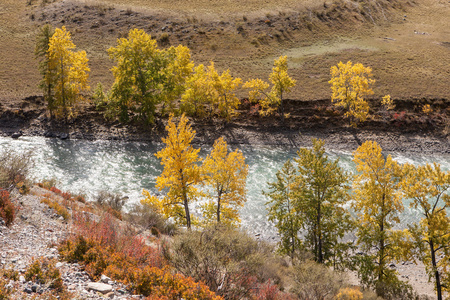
x=283 y=210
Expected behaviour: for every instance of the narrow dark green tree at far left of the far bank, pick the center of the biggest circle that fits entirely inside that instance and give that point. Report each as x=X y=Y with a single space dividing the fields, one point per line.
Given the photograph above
x=47 y=83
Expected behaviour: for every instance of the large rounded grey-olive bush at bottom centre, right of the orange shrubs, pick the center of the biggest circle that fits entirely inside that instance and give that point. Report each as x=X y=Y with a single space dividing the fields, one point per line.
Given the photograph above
x=228 y=261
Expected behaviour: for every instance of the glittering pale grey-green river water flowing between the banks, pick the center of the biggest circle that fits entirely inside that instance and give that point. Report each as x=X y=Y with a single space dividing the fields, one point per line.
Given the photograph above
x=87 y=167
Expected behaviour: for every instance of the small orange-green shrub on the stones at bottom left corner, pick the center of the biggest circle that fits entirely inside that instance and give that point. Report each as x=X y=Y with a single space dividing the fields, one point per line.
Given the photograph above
x=44 y=271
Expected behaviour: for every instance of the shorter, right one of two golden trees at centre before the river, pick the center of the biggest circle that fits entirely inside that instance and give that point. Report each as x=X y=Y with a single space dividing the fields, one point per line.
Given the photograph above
x=225 y=175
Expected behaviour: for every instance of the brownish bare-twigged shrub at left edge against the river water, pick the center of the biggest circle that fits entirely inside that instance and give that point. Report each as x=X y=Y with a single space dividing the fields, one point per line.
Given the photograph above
x=14 y=167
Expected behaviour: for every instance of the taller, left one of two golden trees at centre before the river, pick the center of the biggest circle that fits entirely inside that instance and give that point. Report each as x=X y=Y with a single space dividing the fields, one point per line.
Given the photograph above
x=180 y=175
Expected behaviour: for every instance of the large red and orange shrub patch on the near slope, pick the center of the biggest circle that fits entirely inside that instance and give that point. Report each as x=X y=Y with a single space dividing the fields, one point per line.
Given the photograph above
x=105 y=249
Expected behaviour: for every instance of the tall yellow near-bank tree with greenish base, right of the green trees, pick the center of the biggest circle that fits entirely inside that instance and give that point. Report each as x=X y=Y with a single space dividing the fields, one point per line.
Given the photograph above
x=377 y=202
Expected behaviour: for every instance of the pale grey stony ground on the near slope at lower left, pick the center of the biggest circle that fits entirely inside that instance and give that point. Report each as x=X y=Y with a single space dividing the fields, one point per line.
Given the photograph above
x=34 y=234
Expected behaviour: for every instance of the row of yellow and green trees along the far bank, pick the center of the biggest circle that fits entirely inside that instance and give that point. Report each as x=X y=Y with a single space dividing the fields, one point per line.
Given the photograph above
x=151 y=83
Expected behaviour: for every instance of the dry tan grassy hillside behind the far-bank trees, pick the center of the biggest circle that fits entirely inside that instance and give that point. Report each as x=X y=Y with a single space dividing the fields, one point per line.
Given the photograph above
x=406 y=42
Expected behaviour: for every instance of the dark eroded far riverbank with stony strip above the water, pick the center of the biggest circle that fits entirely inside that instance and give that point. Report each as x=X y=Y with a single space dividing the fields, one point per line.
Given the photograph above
x=405 y=130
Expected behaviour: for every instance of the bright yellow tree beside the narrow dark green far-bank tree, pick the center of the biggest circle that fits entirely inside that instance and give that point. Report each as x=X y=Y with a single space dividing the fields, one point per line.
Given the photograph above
x=69 y=72
